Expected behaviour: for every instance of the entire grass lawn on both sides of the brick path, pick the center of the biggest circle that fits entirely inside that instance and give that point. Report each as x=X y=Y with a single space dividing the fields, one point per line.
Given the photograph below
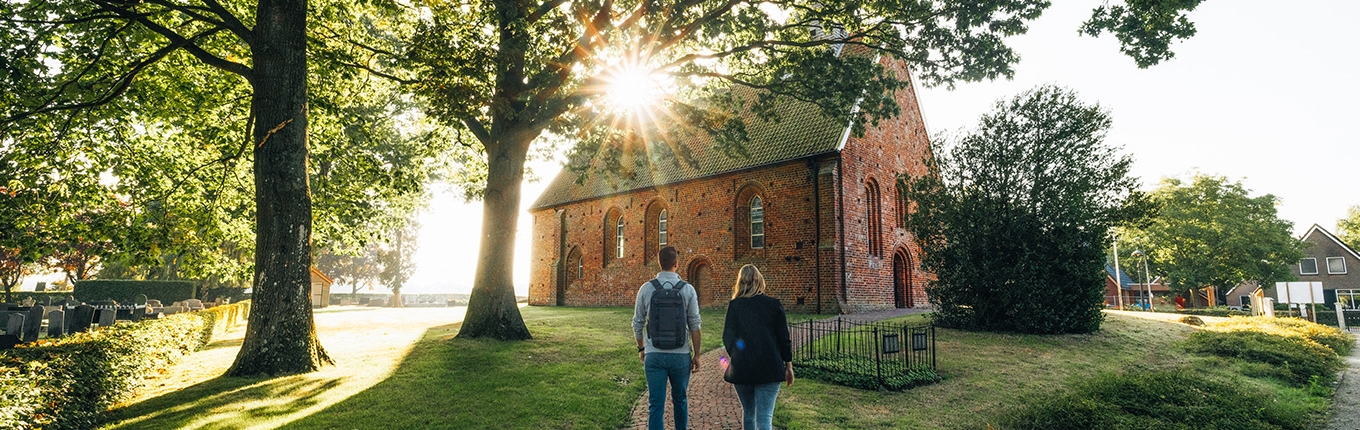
x=581 y=372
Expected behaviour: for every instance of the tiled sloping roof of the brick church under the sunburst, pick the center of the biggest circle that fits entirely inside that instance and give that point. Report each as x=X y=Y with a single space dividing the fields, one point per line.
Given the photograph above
x=802 y=131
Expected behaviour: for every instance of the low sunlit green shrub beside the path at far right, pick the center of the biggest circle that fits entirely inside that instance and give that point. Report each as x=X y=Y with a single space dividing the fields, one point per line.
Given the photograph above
x=1294 y=360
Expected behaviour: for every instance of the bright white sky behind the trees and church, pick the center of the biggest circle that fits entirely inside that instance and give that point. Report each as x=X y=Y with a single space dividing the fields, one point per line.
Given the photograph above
x=1263 y=95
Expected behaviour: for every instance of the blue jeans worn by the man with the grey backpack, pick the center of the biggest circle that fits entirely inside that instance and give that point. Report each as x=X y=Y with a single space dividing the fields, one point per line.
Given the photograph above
x=660 y=369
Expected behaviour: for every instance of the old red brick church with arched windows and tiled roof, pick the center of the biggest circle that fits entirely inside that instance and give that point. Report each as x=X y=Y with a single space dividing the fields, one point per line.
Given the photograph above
x=815 y=209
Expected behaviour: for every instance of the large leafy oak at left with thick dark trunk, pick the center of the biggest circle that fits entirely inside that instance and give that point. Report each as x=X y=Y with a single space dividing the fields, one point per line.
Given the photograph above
x=232 y=81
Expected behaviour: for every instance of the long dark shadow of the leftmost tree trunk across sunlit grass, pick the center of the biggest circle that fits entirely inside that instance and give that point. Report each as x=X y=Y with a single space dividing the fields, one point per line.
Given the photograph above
x=224 y=403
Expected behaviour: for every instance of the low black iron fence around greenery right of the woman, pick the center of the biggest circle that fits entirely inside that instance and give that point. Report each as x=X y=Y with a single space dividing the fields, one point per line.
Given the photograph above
x=893 y=356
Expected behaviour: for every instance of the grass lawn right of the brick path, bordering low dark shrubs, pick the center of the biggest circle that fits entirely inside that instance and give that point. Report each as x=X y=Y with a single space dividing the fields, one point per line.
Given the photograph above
x=991 y=376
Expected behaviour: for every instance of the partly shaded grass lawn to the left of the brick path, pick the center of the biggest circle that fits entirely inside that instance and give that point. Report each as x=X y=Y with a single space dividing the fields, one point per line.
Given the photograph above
x=580 y=372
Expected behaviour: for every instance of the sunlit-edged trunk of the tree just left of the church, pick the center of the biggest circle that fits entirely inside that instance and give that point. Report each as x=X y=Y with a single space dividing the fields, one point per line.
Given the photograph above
x=492 y=310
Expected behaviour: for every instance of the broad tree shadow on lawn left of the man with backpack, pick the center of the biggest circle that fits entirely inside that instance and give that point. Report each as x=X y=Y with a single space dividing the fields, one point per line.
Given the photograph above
x=554 y=382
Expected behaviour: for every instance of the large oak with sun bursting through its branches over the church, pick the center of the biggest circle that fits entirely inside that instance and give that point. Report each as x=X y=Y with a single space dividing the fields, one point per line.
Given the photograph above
x=513 y=71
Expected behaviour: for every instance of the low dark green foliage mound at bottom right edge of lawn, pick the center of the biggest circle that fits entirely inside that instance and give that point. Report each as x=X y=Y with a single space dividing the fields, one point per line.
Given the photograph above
x=1176 y=399
